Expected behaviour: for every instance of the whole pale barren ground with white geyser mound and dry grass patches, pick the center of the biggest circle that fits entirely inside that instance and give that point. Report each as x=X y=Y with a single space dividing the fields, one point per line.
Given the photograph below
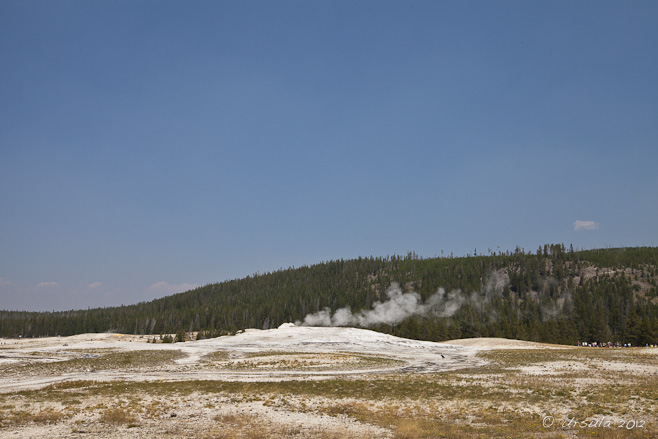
x=305 y=382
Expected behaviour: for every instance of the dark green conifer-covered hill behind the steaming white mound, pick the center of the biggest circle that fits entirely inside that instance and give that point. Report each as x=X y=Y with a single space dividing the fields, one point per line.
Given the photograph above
x=553 y=294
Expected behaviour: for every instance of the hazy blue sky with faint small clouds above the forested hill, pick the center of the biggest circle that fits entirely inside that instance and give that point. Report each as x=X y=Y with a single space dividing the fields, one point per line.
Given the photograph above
x=150 y=146
